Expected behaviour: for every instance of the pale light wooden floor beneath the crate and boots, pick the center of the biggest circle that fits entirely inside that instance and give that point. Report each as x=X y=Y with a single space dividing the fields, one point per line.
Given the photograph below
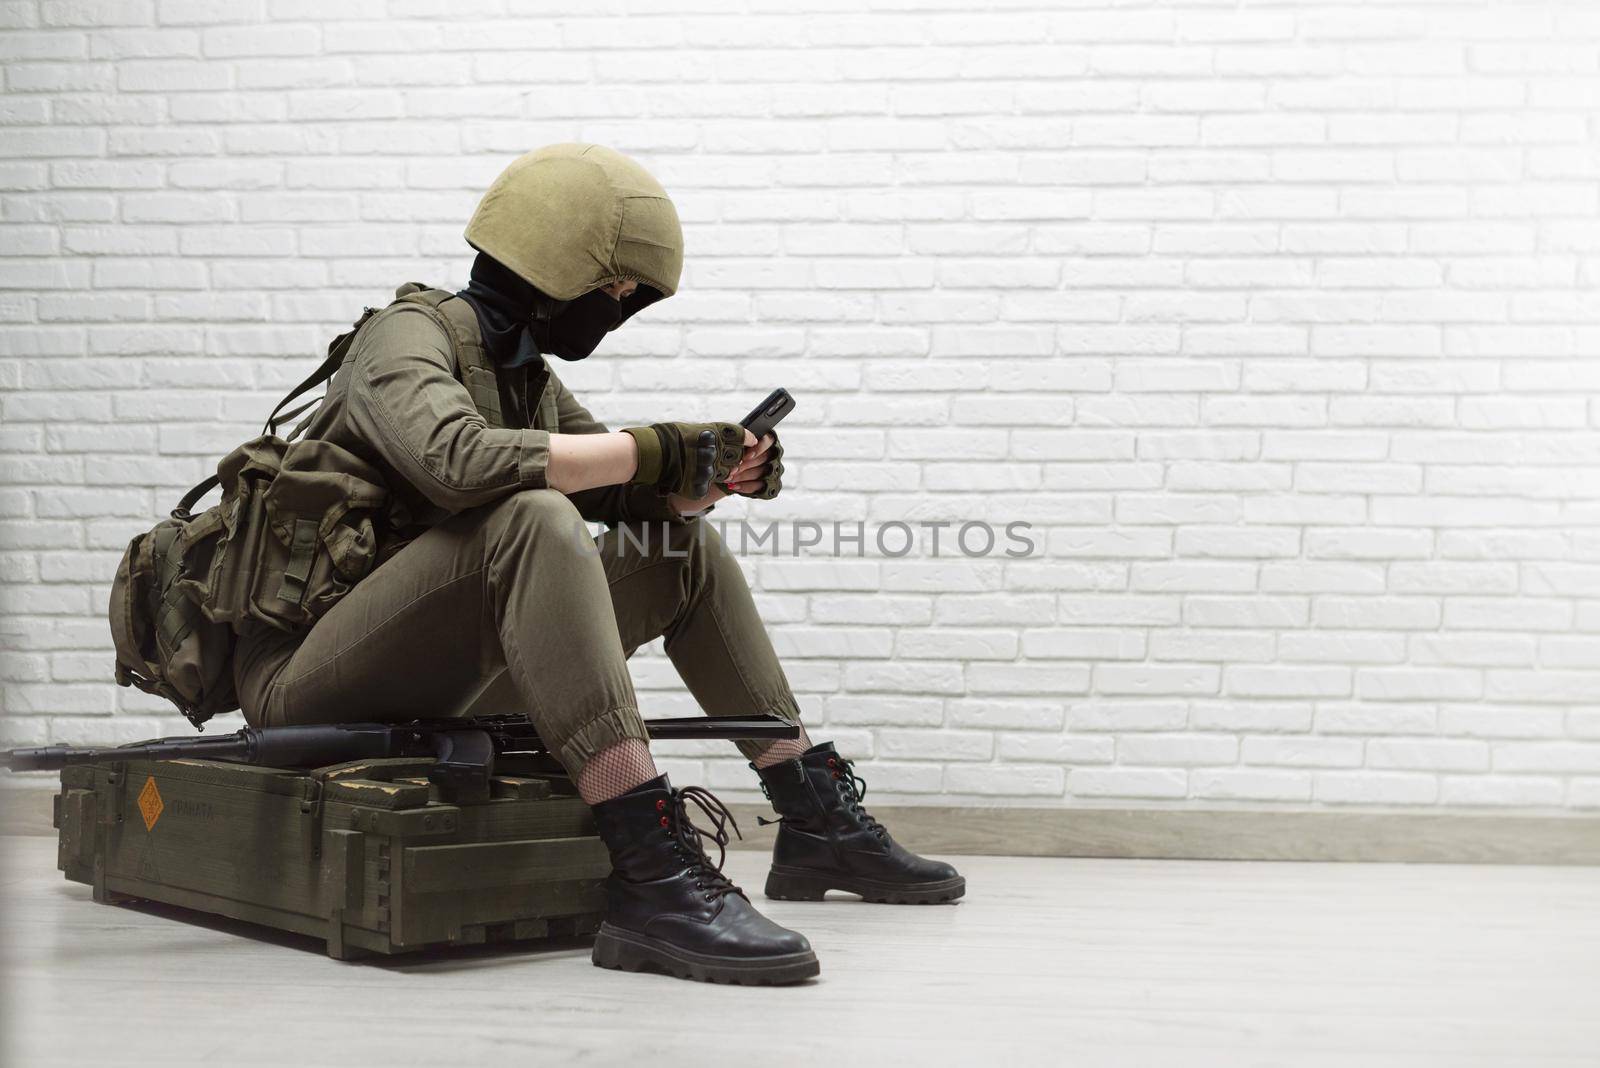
x=1047 y=962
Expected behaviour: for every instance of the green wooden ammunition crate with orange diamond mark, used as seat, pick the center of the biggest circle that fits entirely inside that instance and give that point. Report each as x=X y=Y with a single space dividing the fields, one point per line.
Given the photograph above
x=366 y=855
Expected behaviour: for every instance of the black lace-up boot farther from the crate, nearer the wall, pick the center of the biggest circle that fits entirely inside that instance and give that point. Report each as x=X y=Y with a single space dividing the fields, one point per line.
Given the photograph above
x=826 y=842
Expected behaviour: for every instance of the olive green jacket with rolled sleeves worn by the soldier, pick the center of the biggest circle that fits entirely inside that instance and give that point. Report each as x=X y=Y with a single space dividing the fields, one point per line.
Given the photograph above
x=447 y=428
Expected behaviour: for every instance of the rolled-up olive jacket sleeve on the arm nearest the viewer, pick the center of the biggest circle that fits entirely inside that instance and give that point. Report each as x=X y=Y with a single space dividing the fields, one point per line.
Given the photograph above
x=406 y=402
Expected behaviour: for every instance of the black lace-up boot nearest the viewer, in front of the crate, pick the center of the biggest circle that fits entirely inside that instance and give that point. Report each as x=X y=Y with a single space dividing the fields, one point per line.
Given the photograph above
x=671 y=911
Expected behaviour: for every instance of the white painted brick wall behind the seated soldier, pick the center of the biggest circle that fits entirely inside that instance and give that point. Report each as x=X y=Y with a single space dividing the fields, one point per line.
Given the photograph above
x=1278 y=321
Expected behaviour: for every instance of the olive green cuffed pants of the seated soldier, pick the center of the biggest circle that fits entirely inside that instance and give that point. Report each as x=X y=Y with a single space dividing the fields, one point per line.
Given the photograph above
x=514 y=602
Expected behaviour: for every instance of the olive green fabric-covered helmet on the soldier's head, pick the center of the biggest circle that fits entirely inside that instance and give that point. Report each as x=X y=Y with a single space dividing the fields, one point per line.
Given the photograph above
x=572 y=218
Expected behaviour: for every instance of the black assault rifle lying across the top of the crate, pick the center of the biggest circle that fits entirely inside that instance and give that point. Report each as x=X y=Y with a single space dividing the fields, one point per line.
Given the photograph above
x=463 y=749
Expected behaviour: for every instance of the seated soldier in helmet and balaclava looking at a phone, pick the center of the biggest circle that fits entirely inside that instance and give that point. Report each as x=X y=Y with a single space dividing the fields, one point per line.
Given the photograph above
x=494 y=468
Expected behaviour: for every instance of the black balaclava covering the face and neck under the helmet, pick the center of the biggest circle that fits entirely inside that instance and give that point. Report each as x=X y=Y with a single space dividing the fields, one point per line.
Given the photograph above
x=521 y=322
